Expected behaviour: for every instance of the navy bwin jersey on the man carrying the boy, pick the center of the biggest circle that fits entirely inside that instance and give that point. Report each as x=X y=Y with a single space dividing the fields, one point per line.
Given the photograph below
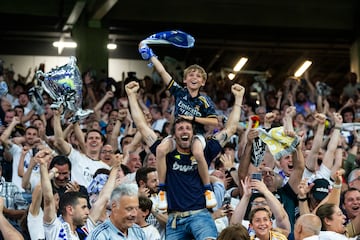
x=185 y=189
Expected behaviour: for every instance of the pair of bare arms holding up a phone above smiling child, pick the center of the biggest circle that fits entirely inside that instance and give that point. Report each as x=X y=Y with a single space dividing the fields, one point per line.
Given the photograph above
x=263 y=198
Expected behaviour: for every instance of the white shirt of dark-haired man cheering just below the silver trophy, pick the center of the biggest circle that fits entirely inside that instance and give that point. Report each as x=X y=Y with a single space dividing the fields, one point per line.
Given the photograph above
x=83 y=167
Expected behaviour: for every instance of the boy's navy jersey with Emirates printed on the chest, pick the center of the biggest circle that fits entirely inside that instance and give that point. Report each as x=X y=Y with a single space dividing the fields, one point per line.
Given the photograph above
x=199 y=106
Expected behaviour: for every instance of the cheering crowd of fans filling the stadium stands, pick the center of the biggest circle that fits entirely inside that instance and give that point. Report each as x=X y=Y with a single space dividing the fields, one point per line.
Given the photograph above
x=287 y=167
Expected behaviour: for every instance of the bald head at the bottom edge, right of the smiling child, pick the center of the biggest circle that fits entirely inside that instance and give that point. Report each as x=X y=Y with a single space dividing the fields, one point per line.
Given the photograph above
x=307 y=225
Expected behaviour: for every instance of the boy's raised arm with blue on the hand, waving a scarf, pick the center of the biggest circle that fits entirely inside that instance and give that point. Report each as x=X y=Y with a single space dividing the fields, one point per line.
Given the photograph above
x=148 y=54
